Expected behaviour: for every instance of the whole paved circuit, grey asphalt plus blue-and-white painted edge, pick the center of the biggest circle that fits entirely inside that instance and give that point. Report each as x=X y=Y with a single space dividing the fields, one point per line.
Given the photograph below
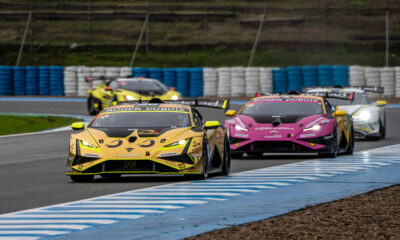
x=39 y=202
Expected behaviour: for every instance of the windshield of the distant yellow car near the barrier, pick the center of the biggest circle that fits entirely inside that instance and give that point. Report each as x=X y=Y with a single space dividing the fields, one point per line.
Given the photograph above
x=146 y=87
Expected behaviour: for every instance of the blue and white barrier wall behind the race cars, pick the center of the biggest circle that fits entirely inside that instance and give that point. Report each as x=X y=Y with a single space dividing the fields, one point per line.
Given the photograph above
x=195 y=82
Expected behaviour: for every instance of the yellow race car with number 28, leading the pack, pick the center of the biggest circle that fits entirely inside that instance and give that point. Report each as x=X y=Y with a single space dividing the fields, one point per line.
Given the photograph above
x=155 y=137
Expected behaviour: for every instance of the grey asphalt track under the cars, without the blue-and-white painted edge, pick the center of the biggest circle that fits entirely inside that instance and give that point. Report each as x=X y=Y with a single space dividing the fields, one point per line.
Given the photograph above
x=33 y=166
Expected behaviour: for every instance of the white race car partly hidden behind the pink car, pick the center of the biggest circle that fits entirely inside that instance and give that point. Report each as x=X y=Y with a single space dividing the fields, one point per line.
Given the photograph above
x=369 y=117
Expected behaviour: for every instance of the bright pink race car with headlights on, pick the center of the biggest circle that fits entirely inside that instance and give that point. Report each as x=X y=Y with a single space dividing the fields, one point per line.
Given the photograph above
x=289 y=124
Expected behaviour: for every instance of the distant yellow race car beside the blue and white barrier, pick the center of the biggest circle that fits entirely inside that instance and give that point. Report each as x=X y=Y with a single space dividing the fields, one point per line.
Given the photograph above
x=127 y=89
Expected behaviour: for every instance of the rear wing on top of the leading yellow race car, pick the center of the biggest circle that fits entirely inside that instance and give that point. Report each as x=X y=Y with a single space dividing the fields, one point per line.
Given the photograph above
x=218 y=104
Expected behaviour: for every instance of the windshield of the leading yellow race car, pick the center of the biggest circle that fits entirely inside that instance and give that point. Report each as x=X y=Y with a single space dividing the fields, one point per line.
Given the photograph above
x=142 y=120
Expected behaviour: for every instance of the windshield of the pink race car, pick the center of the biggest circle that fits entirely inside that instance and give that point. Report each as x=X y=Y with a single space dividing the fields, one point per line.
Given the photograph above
x=279 y=106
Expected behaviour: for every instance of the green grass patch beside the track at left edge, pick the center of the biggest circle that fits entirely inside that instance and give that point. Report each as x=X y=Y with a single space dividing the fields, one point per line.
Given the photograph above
x=24 y=124
